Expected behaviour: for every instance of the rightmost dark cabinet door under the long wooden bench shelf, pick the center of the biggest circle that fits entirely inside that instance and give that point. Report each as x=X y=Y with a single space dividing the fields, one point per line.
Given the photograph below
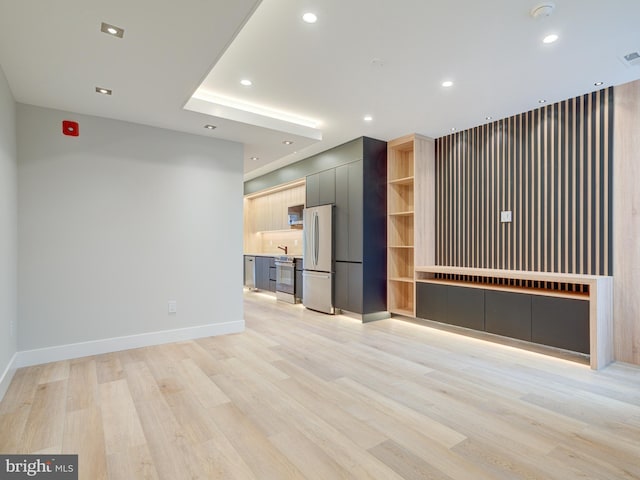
x=560 y=322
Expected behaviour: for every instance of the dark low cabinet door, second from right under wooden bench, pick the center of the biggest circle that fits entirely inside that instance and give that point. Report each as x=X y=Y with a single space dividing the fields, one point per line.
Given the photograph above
x=508 y=314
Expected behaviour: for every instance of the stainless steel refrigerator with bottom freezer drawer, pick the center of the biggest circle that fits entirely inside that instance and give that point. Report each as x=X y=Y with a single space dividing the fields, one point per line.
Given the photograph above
x=317 y=251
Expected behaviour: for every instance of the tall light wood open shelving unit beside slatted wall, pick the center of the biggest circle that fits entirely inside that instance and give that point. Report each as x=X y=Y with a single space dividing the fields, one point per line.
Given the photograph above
x=410 y=217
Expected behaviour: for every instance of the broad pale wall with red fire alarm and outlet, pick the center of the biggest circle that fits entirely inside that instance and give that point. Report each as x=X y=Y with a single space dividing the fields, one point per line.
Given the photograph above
x=118 y=221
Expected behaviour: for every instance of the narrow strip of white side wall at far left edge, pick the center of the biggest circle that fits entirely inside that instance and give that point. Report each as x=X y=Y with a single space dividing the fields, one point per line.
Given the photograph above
x=8 y=232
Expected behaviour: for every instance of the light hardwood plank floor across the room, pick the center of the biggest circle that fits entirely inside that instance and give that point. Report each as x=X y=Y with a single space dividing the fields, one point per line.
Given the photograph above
x=305 y=395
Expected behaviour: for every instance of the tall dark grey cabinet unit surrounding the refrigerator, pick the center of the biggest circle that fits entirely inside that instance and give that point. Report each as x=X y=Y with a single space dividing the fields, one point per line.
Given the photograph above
x=357 y=187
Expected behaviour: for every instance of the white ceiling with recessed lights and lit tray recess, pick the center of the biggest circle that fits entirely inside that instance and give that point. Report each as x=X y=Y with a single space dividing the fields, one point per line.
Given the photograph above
x=362 y=57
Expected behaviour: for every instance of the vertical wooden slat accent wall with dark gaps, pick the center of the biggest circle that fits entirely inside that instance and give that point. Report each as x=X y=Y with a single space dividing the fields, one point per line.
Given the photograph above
x=552 y=167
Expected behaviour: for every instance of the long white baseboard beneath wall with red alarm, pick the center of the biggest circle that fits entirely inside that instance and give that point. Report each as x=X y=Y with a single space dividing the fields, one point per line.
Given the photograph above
x=27 y=358
